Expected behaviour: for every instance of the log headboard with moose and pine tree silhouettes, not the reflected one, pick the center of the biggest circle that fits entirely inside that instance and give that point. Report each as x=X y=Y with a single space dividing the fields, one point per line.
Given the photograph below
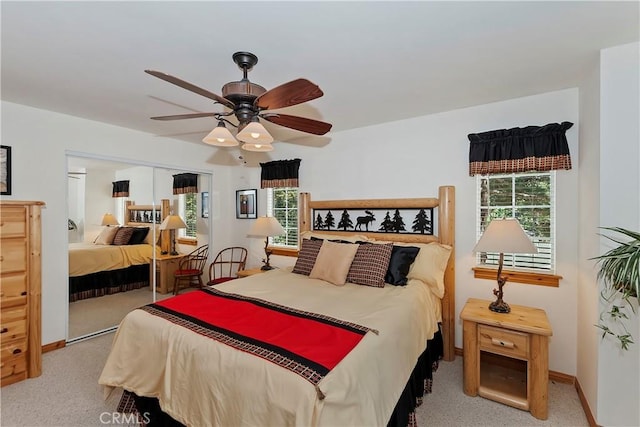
x=444 y=205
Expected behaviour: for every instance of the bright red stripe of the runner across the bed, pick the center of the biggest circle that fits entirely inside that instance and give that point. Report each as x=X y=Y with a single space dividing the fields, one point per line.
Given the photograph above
x=316 y=339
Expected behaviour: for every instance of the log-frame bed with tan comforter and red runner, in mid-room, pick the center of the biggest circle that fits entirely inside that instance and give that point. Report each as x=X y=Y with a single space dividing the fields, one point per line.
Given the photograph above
x=257 y=352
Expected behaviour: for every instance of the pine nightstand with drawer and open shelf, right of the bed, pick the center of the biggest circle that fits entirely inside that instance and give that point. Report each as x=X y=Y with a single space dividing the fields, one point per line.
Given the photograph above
x=506 y=356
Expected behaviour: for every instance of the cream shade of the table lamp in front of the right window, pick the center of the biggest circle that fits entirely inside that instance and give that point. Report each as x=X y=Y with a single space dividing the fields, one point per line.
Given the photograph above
x=506 y=236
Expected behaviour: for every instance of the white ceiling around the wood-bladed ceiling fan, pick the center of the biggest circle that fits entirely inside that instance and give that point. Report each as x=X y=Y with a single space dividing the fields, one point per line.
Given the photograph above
x=375 y=61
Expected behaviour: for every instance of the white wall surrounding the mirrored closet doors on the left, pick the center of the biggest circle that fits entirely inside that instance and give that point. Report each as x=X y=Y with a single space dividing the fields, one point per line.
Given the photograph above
x=40 y=141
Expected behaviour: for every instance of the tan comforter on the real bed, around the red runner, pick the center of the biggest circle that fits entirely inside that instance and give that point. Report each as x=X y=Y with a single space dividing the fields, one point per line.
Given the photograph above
x=201 y=382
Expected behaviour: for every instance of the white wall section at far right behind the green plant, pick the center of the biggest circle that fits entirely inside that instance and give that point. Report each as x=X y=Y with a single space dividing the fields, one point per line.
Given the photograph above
x=618 y=371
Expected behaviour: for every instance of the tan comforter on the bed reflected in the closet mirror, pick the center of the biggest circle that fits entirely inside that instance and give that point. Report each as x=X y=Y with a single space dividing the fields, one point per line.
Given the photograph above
x=87 y=258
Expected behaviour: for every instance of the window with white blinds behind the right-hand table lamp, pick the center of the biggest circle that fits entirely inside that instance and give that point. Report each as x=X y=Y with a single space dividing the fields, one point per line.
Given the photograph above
x=528 y=197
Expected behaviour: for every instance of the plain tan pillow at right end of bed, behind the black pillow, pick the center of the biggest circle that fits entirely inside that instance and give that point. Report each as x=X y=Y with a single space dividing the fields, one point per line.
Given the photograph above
x=430 y=265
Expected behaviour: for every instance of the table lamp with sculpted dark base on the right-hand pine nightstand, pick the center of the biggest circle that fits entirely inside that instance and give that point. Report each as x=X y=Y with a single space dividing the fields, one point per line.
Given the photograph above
x=504 y=235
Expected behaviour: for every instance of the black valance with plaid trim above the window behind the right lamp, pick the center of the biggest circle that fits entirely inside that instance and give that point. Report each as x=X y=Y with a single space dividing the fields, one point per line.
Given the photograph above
x=532 y=148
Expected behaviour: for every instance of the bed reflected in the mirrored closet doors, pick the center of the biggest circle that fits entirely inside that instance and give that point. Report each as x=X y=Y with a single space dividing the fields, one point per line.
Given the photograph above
x=104 y=267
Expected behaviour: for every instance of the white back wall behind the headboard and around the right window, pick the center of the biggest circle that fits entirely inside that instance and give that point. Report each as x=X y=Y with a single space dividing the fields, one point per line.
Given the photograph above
x=396 y=160
